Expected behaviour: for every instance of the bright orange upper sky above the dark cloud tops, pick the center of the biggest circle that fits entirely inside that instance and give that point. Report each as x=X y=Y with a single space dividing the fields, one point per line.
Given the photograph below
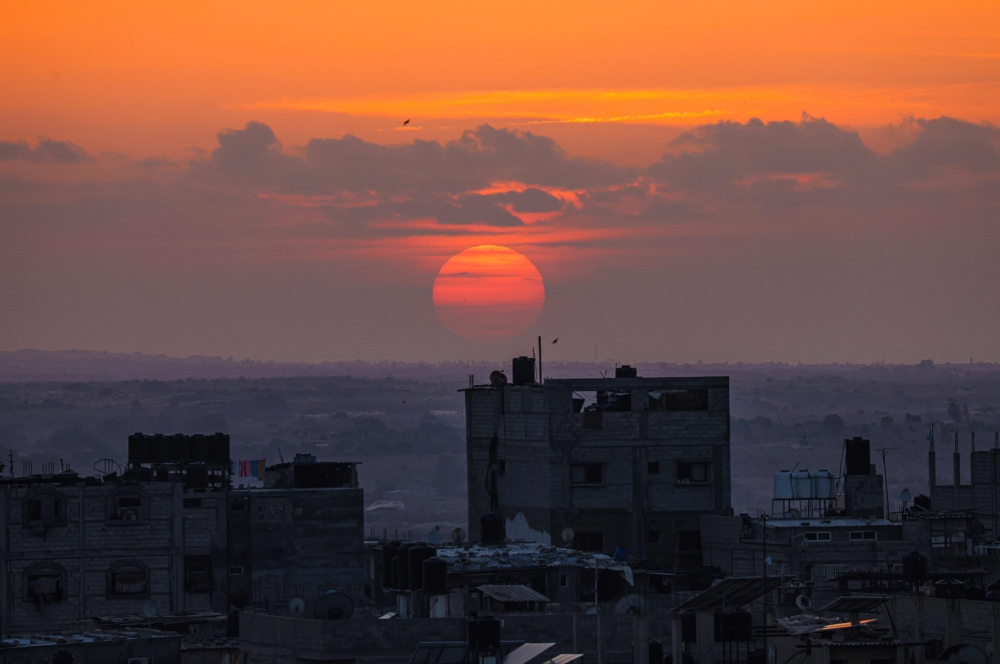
x=164 y=77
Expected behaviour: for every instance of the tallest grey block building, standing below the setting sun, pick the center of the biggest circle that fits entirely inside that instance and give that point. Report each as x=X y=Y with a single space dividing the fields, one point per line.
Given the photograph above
x=600 y=463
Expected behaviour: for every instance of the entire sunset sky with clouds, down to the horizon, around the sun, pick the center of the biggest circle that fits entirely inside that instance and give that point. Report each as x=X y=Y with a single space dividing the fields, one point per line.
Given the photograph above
x=717 y=181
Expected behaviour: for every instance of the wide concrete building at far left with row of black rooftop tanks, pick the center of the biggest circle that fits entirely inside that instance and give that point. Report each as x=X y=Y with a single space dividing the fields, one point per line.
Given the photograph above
x=169 y=535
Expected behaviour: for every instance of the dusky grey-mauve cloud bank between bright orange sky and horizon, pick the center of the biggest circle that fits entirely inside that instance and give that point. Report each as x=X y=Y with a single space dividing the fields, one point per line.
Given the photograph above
x=824 y=243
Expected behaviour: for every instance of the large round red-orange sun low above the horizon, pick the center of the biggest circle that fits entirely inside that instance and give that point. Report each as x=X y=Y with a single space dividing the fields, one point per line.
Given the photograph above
x=489 y=293
